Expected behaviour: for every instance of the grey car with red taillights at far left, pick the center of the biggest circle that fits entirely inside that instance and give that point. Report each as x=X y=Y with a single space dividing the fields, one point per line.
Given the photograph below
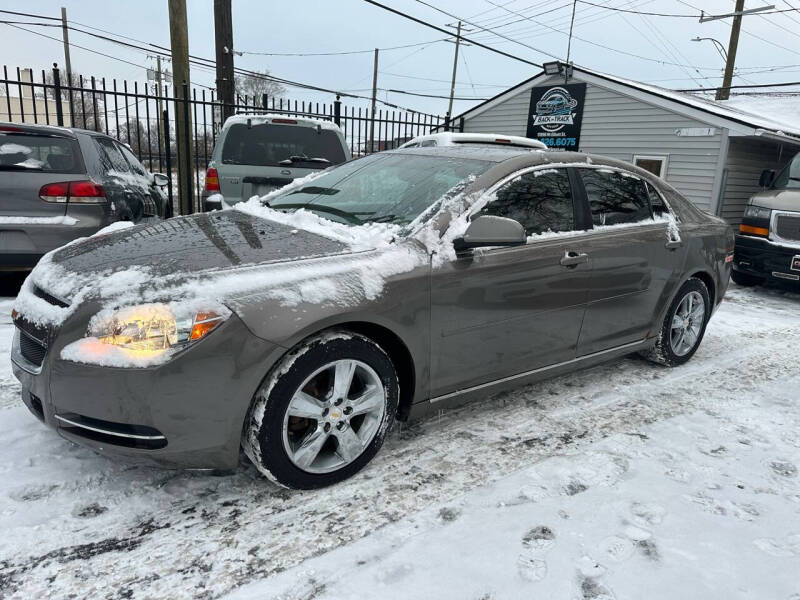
x=60 y=184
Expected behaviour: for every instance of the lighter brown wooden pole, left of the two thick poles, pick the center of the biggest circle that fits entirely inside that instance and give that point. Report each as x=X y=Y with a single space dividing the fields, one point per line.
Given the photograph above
x=179 y=41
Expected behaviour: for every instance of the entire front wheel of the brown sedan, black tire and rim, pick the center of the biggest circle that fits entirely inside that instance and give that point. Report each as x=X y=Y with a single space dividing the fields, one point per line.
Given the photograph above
x=323 y=412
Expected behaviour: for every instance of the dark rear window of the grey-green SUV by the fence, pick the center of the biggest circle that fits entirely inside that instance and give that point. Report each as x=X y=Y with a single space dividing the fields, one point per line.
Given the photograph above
x=266 y=145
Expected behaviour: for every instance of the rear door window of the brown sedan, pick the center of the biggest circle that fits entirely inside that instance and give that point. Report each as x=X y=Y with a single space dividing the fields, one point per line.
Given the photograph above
x=614 y=197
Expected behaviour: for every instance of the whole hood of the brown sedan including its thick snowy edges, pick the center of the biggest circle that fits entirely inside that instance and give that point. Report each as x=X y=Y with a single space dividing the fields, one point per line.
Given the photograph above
x=228 y=257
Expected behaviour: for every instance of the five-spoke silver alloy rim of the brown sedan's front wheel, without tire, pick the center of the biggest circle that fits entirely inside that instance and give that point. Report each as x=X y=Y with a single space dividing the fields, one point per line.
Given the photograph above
x=333 y=416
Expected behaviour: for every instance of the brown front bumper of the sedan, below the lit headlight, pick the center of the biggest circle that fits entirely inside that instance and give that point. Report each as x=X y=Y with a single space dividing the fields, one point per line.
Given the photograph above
x=186 y=413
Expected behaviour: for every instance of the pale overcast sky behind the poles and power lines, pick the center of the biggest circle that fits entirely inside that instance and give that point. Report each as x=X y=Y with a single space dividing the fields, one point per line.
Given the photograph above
x=637 y=47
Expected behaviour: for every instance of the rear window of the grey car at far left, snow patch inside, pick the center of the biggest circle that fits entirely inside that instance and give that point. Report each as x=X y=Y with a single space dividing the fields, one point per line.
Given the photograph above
x=50 y=154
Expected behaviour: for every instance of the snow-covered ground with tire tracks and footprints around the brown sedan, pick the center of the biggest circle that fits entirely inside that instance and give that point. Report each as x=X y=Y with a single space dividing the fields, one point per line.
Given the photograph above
x=624 y=481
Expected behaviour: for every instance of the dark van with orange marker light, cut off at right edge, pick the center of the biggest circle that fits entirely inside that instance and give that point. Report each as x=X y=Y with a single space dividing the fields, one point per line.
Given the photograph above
x=768 y=242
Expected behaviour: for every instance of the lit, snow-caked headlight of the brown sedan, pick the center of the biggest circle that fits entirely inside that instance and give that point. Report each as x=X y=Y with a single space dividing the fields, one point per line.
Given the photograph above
x=139 y=336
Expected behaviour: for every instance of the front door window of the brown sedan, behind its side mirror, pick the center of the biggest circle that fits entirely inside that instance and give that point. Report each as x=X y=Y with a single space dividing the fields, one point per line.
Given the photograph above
x=540 y=200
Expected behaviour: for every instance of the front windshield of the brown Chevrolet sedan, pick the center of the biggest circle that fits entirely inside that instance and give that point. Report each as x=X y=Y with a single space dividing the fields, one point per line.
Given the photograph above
x=387 y=188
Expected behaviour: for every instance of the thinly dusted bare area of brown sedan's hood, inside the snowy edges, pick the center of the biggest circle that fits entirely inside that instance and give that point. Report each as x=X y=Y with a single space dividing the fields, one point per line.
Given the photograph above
x=196 y=243
